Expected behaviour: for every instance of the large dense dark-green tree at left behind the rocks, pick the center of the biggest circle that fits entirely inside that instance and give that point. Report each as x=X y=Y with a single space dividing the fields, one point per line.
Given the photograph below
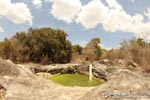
x=43 y=45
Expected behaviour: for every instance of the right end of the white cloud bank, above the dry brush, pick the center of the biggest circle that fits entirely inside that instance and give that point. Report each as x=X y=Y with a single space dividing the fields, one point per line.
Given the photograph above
x=119 y=20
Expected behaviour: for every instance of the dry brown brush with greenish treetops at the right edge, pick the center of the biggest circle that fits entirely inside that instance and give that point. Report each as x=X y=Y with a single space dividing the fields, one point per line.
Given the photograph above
x=136 y=50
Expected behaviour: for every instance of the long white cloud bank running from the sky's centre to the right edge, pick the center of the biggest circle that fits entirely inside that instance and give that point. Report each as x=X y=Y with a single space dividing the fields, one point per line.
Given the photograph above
x=115 y=20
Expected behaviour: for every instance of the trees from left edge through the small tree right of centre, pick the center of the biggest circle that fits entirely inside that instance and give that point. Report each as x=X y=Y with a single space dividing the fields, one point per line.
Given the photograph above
x=45 y=46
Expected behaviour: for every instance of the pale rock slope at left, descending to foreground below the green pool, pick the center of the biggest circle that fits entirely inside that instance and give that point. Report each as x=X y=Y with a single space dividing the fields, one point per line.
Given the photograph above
x=26 y=86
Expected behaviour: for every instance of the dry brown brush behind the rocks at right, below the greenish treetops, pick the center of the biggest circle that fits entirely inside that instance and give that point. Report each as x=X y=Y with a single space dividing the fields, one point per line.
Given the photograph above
x=140 y=55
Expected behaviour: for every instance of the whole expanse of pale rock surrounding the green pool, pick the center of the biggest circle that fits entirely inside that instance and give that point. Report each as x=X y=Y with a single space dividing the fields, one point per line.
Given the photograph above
x=19 y=83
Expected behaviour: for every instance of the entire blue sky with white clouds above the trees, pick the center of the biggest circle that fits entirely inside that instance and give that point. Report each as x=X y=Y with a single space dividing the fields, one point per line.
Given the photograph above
x=110 y=20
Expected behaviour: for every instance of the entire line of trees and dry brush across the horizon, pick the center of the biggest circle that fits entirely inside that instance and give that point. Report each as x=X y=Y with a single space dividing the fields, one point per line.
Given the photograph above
x=47 y=45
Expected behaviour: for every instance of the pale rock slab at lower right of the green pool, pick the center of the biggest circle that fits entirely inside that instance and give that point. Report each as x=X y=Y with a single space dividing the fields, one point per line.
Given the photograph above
x=123 y=82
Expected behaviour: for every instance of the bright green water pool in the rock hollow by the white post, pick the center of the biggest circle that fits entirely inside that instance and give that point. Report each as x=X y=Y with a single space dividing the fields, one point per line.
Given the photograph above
x=75 y=80
